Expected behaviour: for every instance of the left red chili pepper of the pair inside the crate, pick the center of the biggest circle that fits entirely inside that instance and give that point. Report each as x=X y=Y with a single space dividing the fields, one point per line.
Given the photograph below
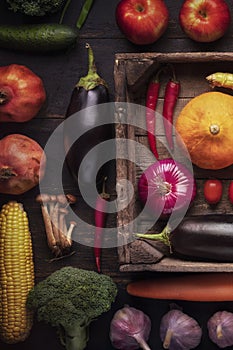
x=151 y=102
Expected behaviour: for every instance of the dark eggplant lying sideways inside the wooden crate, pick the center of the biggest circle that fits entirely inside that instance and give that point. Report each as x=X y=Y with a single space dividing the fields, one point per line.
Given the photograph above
x=201 y=237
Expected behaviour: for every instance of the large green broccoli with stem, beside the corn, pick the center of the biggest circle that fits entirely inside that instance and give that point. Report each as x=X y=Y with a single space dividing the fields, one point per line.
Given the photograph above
x=70 y=299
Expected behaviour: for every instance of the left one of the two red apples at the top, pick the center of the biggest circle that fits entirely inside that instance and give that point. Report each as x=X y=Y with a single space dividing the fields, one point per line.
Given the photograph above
x=142 y=21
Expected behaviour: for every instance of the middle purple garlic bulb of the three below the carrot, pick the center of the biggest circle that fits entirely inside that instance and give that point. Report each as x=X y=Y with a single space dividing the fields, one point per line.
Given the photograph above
x=179 y=331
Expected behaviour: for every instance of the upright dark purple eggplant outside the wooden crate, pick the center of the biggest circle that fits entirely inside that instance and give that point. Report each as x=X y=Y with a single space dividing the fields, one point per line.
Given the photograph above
x=84 y=131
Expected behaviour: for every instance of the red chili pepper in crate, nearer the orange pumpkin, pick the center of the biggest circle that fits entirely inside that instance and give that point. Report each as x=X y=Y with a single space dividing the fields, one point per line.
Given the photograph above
x=170 y=98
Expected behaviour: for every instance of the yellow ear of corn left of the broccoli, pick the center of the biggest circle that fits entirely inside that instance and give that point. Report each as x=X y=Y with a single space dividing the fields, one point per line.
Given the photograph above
x=16 y=273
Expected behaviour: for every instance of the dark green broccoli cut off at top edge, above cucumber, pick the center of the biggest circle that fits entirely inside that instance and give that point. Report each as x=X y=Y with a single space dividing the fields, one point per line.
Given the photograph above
x=35 y=7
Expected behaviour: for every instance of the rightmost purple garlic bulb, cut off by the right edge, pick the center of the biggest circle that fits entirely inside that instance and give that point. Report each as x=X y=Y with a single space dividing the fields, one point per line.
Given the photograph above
x=220 y=328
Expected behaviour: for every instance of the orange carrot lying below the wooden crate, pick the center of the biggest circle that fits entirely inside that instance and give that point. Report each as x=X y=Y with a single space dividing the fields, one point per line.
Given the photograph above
x=191 y=287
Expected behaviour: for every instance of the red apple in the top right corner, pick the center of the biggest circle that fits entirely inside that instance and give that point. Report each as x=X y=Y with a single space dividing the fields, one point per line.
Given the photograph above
x=204 y=20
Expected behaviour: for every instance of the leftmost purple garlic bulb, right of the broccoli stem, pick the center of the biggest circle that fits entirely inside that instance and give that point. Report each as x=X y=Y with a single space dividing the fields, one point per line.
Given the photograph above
x=130 y=329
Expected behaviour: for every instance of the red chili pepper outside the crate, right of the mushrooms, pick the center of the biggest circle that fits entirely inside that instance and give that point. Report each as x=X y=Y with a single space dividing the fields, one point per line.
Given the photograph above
x=100 y=221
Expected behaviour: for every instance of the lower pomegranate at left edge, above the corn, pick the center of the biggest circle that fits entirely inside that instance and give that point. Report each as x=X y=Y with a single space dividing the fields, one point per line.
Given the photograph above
x=22 y=164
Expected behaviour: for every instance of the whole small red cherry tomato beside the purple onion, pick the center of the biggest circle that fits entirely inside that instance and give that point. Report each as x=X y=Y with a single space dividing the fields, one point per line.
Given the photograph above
x=213 y=191
